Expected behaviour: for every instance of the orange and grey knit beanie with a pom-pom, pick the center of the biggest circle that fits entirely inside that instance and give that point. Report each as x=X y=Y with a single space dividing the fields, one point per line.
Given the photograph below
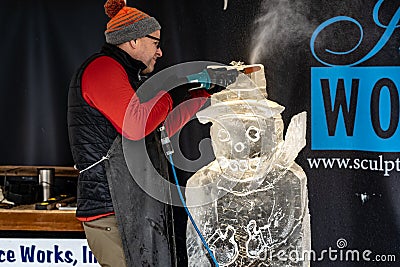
x=127 y=23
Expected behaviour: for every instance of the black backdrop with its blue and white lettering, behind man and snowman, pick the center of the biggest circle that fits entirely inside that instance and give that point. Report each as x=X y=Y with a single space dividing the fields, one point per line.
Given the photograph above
x=336 y=59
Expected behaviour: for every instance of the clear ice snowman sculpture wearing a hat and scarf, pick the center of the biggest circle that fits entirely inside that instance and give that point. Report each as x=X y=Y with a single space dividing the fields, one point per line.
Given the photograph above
x=251 y=203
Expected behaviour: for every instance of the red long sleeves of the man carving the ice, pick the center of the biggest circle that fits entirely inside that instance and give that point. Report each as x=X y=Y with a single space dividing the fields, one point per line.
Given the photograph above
x=105 y=86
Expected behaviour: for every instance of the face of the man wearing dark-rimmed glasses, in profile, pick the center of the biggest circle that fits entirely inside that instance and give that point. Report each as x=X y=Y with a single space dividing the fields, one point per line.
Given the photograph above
x=149 y=50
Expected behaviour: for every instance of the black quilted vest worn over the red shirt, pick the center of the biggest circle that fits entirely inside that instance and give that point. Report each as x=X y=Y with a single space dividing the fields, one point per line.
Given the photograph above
x=91 y=135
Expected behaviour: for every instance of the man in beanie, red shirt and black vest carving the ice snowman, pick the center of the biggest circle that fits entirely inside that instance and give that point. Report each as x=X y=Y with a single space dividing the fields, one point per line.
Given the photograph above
x=124 y=226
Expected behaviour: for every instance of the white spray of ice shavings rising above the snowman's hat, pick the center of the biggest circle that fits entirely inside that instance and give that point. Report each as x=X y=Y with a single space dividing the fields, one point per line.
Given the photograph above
x=280 y=23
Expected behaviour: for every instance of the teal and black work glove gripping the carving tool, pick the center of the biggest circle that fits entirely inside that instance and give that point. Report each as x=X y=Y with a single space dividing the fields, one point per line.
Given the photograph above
x=214 y=79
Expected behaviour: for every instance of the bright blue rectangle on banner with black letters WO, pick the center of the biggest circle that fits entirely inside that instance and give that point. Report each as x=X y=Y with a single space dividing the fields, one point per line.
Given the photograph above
x=355 y=108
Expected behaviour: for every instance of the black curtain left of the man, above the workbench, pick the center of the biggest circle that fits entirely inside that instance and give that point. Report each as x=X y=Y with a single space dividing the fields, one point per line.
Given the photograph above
x=44 y=42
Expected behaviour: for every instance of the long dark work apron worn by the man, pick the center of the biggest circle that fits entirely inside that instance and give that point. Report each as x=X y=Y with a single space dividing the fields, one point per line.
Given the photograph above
x=145 y=223
